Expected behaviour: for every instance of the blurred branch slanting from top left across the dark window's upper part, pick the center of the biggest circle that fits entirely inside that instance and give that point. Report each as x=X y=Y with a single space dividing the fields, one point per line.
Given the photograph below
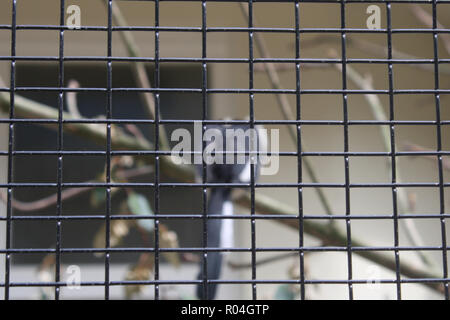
x=138 y=69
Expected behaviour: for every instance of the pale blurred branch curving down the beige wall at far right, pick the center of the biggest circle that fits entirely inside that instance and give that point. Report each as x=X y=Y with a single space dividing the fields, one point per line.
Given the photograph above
x=365 y=83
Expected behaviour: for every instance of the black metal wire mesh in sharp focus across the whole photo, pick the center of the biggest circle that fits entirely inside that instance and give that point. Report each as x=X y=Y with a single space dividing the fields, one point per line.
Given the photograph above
x=297 y=91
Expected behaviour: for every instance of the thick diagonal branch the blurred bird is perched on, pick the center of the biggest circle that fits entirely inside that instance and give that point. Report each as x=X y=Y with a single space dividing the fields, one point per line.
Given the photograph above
x=263 y=204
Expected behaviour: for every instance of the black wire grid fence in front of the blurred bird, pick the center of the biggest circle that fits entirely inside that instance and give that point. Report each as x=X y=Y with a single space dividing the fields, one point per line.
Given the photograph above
x=251 y=90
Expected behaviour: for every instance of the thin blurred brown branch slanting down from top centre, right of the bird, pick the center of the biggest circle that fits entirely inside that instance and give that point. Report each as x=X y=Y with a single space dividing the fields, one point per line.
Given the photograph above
x=285 y=107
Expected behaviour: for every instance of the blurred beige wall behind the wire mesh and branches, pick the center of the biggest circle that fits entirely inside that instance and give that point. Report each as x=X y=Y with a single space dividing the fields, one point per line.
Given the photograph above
x=314 y=107
